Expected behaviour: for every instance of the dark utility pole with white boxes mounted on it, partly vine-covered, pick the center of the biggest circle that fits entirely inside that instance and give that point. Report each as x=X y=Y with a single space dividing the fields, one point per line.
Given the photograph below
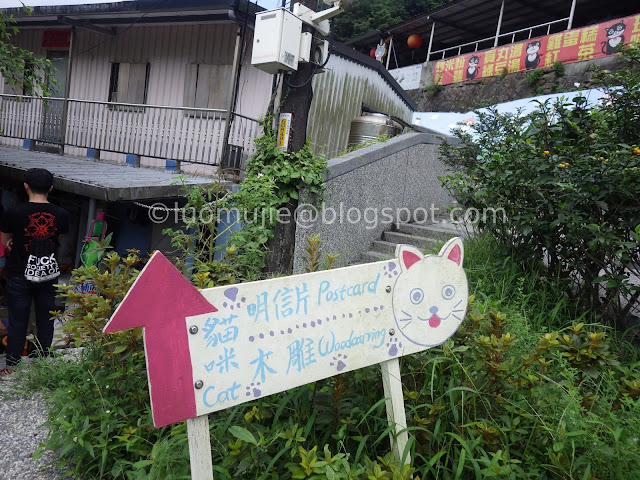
x=296 y=101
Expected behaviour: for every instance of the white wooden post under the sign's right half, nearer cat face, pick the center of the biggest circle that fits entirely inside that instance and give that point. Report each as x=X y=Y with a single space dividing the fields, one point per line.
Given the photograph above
x=395 y=408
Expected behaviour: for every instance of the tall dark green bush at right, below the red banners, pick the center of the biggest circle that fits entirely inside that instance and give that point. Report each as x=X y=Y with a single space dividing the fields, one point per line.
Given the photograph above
x=567 y=177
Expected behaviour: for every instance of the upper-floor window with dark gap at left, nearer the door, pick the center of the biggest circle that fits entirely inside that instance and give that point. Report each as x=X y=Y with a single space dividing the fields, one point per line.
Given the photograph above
x=129 y=83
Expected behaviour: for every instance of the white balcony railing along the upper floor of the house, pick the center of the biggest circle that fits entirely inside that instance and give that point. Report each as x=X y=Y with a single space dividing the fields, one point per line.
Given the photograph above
x=194 y=135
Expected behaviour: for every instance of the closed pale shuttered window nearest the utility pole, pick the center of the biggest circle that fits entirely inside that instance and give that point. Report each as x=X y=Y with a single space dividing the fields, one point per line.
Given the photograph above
x=208 y=85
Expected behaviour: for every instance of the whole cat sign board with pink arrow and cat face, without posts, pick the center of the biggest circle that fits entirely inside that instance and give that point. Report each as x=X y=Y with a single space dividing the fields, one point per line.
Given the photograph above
x=264 y=337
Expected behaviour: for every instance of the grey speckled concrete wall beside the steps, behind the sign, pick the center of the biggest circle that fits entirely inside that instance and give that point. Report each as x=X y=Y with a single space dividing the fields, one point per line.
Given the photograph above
x=371 y=188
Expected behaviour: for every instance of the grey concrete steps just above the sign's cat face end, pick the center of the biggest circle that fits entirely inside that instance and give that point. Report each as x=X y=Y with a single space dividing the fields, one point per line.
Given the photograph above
x=424 y=235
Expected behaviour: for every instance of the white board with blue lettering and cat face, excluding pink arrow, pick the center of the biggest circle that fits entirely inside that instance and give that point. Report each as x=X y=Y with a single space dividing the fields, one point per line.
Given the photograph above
x=274 y=335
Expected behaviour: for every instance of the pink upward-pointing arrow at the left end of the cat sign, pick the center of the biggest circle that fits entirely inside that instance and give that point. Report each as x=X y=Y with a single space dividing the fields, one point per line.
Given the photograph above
x=159 y=300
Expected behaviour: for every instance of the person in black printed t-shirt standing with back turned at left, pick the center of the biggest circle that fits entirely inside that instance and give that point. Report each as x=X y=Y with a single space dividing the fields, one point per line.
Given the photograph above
x=30 y=231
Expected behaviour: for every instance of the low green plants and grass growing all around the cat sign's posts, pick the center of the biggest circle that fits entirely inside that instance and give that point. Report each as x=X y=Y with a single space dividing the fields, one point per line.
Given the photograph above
x=514 y=394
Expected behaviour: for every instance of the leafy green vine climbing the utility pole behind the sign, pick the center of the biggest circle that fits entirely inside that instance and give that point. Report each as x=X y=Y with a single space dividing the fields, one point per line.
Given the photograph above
x=272 y=179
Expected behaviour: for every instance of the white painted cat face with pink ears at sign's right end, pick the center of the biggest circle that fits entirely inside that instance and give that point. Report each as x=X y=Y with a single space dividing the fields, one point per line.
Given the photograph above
x=431 y=294
